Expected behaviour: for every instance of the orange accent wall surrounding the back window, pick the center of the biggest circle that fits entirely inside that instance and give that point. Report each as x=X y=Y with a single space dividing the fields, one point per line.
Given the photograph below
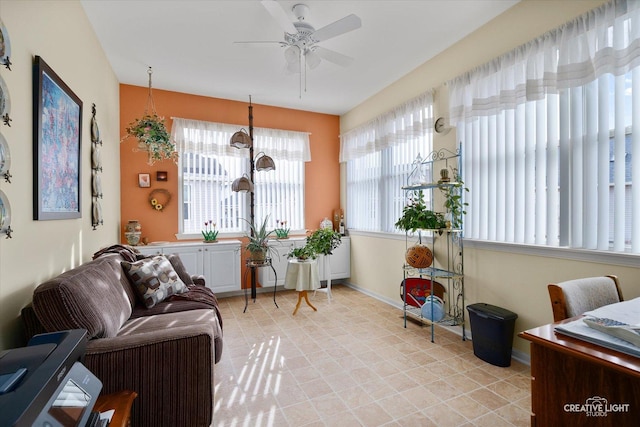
x=322 y=174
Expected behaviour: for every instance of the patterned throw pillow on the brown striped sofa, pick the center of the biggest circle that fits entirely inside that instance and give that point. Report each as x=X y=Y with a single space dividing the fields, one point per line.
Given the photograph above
x=154 y=279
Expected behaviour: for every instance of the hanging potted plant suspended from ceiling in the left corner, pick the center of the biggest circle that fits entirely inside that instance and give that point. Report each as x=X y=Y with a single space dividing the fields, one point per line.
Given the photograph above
x=151 y=133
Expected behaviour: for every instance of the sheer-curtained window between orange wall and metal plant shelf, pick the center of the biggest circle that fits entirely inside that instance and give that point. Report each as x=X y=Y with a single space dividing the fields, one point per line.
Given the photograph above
x=380 y=157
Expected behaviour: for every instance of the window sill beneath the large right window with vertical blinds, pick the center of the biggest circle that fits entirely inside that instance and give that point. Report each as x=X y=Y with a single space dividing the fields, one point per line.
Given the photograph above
x=586 y=255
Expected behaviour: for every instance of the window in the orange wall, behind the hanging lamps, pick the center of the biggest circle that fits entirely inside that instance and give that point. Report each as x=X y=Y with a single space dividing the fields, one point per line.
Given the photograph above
x=208 y=166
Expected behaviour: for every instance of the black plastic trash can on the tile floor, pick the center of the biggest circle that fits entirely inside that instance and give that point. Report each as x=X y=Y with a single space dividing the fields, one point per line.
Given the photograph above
x=492 y=333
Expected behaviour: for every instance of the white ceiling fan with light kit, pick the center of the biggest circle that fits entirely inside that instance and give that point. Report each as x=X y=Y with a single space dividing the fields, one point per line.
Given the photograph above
x=301 y=38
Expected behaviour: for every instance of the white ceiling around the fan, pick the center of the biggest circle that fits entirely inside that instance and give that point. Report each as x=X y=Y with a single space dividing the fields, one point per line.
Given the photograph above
x=190 y=45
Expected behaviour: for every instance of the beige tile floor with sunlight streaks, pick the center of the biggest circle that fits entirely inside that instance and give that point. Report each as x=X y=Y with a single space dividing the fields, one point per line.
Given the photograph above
x=352 y=363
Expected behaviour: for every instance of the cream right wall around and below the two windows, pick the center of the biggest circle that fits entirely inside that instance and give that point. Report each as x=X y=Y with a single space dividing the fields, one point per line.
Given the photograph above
x=514 y=281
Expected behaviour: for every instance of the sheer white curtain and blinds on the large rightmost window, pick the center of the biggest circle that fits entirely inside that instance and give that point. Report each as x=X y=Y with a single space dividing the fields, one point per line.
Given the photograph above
x=547 y=136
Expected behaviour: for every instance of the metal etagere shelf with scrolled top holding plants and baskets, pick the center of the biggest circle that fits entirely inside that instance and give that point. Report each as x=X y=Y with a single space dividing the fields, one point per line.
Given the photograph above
x=446 y=244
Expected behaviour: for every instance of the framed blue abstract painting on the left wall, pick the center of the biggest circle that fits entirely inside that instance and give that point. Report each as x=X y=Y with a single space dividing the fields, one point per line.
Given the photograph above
x=57 y=131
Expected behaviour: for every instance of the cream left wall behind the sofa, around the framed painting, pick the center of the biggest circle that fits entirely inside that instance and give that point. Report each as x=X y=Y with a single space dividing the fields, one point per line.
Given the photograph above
x=60 y=33
